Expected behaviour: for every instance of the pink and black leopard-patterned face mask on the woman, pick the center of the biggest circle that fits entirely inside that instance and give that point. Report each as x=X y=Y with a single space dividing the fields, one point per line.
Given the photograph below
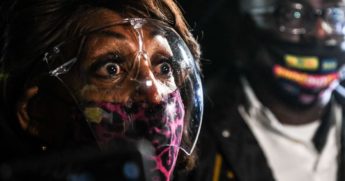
x=161 y=124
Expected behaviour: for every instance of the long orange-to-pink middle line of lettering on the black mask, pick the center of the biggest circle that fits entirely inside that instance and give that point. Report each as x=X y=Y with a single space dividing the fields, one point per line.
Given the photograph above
x=303 y=79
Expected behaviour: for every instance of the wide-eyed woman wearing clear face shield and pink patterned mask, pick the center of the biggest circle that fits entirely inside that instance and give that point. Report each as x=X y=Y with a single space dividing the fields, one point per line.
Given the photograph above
x=76 y=73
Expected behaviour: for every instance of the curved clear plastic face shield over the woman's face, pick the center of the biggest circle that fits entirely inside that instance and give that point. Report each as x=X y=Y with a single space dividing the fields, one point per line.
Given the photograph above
x=133 y=79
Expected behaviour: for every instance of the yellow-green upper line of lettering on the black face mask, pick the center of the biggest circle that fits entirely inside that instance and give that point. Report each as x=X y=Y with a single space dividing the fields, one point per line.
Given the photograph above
x=302 y=63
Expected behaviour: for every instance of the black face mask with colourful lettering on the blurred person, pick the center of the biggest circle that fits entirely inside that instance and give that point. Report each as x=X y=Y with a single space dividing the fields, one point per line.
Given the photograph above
x=302 y=73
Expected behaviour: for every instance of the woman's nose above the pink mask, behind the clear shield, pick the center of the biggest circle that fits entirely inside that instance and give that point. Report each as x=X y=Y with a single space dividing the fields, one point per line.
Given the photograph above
x=147 y=88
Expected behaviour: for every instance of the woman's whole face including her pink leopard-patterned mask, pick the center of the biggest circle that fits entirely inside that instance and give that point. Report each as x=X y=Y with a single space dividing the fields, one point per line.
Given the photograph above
x=124 y=80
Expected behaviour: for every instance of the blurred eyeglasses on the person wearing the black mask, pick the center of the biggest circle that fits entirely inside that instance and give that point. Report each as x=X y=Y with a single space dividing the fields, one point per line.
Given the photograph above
x=301 y=18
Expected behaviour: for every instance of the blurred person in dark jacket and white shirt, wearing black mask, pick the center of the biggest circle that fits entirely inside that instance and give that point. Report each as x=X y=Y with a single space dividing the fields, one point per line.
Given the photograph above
x=280 y=114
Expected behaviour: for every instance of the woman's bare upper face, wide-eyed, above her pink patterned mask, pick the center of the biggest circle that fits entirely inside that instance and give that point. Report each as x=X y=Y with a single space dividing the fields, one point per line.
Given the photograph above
x=122 y=64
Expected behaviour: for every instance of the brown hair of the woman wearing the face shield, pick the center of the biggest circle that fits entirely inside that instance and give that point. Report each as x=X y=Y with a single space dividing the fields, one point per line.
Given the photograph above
x=33 y=26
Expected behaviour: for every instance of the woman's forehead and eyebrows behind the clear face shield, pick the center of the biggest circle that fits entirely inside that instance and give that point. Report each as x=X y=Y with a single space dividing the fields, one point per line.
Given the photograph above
x=127 y=39
